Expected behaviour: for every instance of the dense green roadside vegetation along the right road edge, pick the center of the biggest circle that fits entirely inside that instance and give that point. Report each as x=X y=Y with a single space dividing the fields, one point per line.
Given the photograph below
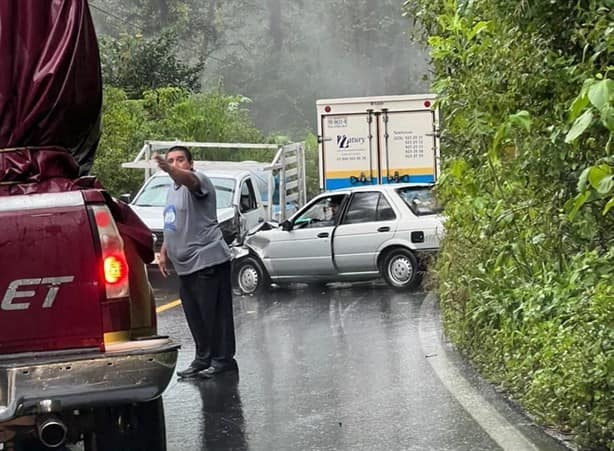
x=526 y=273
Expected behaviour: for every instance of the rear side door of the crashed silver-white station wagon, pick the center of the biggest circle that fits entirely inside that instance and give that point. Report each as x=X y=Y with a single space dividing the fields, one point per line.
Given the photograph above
x=368 y=223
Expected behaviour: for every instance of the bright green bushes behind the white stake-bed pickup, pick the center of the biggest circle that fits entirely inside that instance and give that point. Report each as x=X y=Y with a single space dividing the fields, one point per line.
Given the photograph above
x=168 y=114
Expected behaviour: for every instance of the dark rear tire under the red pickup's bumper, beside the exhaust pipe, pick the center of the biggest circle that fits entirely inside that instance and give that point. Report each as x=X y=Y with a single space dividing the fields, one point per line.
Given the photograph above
x=138 y=427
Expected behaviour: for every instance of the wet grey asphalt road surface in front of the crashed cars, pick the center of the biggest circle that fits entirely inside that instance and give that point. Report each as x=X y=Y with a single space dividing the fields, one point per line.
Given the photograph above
x=349 y=367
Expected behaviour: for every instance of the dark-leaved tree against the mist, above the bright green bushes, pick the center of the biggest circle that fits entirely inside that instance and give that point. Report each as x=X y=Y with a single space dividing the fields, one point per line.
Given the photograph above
x=136 y=65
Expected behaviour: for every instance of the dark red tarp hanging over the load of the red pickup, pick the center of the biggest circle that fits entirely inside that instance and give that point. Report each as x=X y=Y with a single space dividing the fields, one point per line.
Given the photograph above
x=50 y=84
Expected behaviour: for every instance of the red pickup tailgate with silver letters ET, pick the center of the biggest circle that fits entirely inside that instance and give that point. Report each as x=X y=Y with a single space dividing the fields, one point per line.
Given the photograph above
x=50 y=277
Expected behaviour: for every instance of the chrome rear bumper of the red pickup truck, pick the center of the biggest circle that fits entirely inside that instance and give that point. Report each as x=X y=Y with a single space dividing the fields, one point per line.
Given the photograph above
x=131 y=372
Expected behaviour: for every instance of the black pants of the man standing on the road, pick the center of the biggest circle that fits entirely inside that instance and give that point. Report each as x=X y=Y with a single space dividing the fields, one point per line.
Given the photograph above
x=206 y=296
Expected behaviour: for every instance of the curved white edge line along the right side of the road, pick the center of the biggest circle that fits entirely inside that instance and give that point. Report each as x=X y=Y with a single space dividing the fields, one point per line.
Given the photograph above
x=507 y=436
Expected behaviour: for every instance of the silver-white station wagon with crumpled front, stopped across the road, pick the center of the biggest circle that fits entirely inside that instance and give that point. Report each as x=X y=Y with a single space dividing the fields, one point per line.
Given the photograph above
x=352 y=234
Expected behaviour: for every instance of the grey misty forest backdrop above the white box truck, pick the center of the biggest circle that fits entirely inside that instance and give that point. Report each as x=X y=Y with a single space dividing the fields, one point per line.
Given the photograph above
x=281 y=54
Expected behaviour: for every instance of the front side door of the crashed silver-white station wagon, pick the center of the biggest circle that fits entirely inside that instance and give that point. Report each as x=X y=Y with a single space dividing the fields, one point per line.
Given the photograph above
x=306 y=250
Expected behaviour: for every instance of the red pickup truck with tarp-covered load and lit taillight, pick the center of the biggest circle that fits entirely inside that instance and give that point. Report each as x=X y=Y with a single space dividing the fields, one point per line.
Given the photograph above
x=80 y=358
